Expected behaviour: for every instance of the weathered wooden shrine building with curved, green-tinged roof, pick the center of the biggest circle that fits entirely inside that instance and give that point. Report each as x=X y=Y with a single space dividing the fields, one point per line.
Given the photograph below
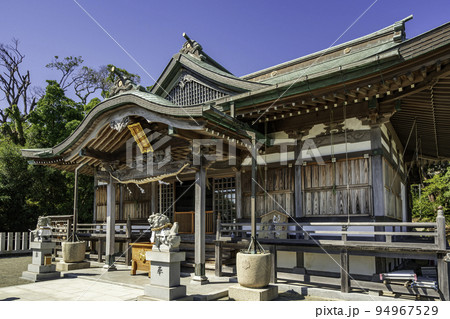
x=337 y=132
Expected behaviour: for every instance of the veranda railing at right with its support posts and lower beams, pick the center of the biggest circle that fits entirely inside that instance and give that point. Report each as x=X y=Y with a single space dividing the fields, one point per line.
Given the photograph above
x=425 y=241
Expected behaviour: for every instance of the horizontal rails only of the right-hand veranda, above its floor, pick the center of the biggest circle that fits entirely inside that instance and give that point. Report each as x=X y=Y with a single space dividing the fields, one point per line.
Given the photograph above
x=375 y=234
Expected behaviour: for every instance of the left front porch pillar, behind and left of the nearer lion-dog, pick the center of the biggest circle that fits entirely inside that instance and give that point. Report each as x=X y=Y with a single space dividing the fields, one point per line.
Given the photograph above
x=110 y=225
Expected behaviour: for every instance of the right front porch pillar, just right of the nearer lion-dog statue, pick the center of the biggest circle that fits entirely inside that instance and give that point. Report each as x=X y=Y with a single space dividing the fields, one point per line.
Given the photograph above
x=200 y=224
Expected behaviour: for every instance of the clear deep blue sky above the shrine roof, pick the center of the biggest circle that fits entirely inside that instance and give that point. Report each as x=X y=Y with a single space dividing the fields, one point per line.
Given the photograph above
x=244 y=36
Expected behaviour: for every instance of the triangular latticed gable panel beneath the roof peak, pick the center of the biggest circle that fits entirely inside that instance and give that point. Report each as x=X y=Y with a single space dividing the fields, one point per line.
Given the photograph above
x=190 y=90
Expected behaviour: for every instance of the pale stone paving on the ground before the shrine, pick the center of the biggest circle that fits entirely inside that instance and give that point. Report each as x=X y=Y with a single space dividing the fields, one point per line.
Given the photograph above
x=97 y=284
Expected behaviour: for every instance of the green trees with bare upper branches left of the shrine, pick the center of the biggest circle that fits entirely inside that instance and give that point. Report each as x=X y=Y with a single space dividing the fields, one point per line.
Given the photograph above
x=32 y=118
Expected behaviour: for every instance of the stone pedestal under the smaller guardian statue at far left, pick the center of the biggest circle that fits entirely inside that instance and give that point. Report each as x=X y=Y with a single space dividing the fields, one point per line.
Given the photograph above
x=41 y=267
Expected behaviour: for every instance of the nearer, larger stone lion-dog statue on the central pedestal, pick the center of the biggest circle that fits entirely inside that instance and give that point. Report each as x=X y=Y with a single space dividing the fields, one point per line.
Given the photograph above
x=164 y=234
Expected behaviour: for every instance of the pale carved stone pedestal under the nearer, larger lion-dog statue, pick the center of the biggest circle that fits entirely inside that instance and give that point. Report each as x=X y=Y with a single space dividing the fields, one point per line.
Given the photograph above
x=165 y=275
